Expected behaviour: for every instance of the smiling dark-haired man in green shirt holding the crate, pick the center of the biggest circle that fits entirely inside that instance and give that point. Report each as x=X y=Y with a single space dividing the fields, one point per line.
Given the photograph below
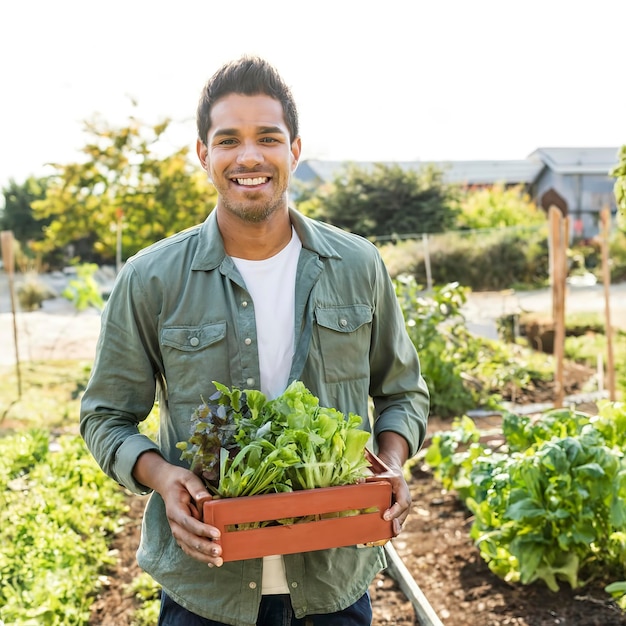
x=255 y=297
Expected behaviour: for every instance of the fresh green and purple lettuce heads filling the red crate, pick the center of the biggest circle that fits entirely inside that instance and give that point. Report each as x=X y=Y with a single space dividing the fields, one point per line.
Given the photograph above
x=243 y=444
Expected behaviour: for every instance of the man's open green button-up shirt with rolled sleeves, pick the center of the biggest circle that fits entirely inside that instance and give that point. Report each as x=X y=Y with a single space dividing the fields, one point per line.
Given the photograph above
x=179 y=317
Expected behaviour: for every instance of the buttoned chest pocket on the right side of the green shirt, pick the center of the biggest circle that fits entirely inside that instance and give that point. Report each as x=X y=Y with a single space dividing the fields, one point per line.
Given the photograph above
x=344 y=336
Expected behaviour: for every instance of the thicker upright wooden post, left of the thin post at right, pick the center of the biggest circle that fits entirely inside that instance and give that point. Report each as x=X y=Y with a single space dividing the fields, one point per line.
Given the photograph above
x=559 y=232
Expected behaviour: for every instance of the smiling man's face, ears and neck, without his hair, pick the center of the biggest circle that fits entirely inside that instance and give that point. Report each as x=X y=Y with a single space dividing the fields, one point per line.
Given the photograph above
x=249 y=154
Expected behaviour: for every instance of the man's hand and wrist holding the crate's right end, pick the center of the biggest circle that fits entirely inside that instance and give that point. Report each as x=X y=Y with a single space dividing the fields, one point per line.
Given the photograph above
x=393 y=450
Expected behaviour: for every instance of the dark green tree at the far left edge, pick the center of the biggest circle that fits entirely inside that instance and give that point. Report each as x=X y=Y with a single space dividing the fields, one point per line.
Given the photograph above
x=17 y=214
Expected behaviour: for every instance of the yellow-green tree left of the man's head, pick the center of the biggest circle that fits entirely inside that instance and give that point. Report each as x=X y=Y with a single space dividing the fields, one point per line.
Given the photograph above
x=123 y=176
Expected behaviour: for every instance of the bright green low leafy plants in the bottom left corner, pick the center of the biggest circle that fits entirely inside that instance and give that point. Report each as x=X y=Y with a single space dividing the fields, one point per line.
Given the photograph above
x=58 y=512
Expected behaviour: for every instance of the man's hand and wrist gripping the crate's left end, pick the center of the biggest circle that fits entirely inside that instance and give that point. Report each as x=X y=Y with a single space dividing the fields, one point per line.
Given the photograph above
x=180 y=490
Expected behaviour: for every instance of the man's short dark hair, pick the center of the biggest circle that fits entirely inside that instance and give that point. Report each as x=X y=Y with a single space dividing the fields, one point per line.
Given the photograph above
x=248 y=76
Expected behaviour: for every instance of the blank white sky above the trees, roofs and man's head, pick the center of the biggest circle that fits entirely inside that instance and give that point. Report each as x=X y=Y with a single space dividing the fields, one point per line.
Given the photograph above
x=386 y=80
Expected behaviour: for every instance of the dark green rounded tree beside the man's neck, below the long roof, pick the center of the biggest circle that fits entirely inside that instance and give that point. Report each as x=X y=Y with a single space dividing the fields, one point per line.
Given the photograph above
x=384 y=200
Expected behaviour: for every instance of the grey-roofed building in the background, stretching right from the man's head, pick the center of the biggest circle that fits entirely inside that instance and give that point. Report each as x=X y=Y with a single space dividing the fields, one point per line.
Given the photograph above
x=578 y=176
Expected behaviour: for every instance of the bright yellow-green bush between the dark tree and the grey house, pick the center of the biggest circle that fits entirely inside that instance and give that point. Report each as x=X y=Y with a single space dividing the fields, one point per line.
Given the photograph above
x=498 y=207
